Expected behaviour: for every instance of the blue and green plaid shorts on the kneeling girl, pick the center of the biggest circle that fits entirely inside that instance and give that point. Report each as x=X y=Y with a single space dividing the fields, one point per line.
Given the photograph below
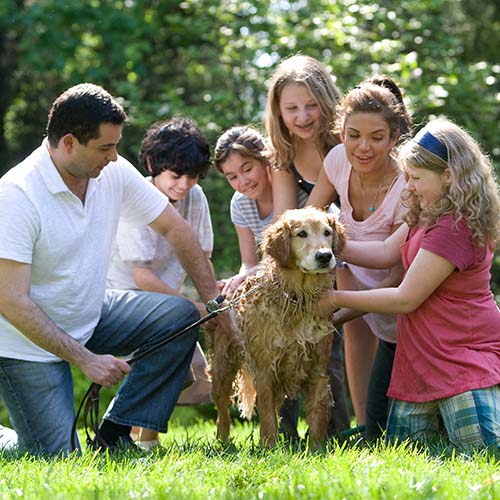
x=471 y=418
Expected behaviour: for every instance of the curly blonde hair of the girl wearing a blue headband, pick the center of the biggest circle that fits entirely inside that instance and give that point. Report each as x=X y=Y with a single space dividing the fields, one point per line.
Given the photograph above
x=472 y=193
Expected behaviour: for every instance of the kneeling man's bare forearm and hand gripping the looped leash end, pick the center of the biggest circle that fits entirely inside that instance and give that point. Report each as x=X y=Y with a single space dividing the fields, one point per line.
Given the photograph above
x=18 y=308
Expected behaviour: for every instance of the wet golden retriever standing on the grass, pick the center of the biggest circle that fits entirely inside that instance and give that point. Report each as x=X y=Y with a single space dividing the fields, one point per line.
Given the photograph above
x=286 y=345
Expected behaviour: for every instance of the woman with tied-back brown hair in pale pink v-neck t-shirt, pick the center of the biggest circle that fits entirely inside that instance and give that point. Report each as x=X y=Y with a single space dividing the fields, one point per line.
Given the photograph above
x=364 y=174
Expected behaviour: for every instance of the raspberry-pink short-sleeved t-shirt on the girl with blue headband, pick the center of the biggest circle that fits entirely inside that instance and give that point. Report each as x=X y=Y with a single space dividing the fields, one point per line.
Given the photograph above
x=451 y=343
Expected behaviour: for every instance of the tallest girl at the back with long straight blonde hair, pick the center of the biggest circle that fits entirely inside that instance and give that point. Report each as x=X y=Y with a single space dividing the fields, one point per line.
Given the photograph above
x=299 y=119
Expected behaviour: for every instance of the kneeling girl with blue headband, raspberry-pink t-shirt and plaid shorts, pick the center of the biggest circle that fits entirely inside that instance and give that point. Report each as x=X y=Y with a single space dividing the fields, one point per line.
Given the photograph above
x=446 y=372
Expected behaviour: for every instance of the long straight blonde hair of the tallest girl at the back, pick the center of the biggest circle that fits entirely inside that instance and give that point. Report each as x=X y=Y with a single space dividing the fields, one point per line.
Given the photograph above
x=311 y=73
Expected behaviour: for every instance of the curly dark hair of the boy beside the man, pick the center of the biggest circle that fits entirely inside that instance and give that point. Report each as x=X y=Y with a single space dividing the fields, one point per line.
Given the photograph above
x=177 y=145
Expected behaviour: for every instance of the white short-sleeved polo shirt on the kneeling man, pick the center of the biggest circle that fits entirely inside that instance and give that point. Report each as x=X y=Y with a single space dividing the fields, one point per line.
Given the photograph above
x=67 y=242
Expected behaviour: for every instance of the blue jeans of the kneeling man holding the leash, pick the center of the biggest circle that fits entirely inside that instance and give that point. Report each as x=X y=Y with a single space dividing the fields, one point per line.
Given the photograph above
x=39 y=396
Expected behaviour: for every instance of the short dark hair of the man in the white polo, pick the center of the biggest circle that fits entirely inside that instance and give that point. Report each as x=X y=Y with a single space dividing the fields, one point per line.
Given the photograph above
x=80 y=110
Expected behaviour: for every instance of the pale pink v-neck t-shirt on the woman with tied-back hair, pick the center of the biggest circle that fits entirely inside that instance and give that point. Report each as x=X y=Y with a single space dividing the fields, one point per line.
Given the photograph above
x=376 y=227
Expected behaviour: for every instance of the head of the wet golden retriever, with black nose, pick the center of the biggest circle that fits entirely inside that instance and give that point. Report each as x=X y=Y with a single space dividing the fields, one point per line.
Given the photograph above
x=307 y=239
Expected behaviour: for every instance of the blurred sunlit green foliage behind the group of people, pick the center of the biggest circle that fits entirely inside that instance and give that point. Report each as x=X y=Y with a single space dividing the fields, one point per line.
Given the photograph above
x=211 y=60
